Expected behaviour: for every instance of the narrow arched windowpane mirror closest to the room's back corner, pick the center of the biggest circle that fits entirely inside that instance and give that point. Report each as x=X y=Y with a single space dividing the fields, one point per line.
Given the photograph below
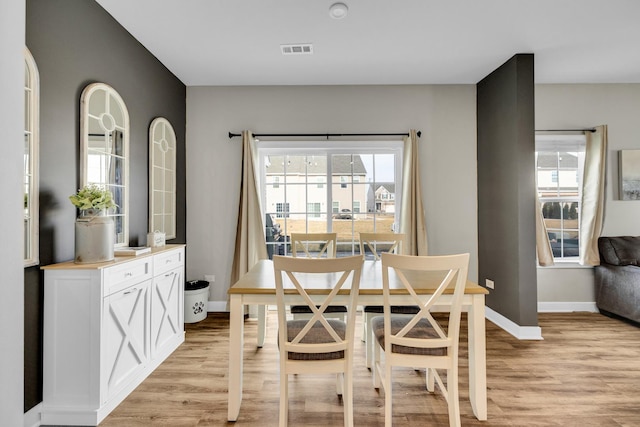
x=162 y=178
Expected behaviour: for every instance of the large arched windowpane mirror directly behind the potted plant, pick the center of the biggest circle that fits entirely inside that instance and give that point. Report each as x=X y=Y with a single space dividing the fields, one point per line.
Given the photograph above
x=104 y=150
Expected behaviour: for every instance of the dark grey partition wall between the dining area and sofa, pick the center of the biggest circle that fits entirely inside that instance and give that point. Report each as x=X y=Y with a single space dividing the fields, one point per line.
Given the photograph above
x=506 y=189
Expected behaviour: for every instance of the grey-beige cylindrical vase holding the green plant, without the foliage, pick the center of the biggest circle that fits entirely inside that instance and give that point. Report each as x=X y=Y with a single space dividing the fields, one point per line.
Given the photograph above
x=94 y=238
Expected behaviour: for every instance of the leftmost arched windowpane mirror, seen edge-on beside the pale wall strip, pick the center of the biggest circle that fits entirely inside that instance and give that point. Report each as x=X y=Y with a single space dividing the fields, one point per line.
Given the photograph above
x=31 y=157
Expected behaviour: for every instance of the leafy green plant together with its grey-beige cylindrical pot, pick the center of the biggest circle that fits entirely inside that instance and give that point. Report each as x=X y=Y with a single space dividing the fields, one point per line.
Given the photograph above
x=95 y=232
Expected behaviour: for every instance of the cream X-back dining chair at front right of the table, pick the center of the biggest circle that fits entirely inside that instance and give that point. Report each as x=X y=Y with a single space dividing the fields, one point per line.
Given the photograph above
x=421 y=340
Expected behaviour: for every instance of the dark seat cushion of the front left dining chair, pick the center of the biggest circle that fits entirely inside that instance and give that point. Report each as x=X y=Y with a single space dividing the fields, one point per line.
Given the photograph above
x=317 y=335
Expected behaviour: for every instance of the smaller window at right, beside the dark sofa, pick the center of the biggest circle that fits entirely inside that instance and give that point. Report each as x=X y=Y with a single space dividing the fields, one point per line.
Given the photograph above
x=559 y=166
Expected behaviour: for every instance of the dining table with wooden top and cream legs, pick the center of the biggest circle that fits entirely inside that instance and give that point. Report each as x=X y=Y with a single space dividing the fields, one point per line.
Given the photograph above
x=257 y=287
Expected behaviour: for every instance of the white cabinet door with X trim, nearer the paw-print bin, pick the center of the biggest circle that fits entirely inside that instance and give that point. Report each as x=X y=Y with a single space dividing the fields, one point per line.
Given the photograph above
x=167 y=309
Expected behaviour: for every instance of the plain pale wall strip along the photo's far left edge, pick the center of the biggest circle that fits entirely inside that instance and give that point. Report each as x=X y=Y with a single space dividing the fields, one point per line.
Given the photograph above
x=12 y=22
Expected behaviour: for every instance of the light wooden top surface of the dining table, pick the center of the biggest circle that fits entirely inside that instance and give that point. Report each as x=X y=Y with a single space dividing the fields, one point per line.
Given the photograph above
x=261 y=280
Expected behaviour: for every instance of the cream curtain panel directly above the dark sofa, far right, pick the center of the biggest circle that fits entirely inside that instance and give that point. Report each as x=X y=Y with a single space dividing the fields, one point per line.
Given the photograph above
x=592 y=206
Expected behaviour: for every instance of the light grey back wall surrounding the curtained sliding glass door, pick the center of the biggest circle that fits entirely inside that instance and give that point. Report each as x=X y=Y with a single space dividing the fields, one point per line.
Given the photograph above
x=446 y=115
